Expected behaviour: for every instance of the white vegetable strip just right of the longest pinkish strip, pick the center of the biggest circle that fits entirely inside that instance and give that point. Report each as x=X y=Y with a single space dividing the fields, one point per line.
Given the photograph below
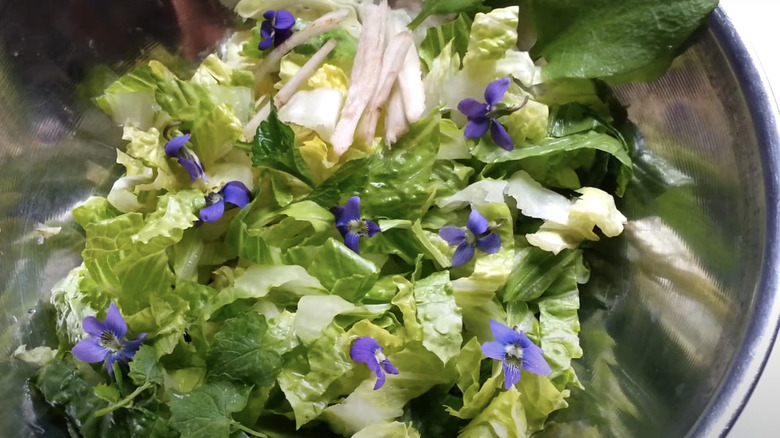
x=392 y=62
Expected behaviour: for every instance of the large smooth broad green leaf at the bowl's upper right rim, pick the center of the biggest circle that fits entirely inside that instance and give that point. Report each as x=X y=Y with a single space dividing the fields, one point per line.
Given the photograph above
x=603 y=38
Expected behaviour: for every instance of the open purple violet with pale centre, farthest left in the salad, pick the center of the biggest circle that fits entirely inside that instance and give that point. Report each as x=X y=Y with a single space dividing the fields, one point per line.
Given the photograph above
x=107 y=340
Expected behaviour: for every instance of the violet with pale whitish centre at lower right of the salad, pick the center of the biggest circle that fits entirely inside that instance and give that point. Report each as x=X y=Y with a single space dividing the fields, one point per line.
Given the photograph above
x=513 y=348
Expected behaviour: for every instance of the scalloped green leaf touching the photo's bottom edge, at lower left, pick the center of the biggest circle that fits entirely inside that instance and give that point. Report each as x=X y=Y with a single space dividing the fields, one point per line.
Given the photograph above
x=206 y=411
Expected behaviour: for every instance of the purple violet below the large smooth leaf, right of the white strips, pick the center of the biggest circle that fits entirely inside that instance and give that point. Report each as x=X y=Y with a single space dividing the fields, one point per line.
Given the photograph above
x=484 y=116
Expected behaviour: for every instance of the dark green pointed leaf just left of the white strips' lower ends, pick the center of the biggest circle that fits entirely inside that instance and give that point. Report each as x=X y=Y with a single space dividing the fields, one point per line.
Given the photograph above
x=274 y=147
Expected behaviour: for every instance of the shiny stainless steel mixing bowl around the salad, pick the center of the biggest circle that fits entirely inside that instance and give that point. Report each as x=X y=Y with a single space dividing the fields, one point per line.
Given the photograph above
x=680 y=312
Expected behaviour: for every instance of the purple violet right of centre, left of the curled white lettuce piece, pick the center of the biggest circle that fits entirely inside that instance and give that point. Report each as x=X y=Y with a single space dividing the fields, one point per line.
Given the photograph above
x=477 y=233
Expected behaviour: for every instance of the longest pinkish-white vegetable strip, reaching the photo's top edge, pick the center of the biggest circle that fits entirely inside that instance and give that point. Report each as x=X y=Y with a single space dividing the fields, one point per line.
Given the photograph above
x=365 y=75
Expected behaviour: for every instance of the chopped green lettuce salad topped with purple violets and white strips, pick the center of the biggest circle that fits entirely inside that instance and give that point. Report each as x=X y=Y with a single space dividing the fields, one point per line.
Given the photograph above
x=354 y=220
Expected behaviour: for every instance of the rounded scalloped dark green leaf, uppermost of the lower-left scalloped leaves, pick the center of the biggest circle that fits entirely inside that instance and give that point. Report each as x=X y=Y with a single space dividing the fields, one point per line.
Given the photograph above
x=238 y=353
